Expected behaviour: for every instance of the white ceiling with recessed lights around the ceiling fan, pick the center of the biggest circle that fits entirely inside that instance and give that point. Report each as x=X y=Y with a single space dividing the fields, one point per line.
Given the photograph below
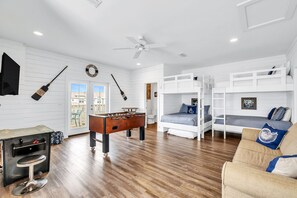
x=199 y=28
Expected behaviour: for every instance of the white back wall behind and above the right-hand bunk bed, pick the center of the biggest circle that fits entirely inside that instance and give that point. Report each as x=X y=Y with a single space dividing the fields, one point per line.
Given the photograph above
x=265 y=101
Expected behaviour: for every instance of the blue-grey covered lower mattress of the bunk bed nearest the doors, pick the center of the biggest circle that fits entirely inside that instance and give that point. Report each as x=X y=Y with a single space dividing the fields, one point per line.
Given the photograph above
x=184 y=118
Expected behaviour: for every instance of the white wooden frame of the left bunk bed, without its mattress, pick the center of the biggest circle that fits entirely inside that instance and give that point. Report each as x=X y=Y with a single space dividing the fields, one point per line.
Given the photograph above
x=185 y=84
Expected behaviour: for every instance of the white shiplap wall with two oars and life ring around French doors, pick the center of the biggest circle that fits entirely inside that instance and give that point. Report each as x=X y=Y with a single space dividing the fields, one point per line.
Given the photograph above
x=38 y=68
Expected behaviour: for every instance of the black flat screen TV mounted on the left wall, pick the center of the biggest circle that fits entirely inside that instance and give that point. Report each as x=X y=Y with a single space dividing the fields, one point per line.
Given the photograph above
x=9 y=77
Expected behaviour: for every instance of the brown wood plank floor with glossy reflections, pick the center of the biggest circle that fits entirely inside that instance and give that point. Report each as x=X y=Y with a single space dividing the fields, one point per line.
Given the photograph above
x=162 y=166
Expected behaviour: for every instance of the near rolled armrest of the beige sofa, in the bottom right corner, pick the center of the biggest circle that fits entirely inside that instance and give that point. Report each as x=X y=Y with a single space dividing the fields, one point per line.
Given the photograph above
x=257 y=183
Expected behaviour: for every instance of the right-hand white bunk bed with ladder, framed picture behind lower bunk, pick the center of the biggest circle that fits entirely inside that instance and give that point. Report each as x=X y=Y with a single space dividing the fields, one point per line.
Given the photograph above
x=270 y=80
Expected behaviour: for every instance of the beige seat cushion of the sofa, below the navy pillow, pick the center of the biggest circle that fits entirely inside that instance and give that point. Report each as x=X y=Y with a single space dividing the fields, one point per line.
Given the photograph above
x=254 y=154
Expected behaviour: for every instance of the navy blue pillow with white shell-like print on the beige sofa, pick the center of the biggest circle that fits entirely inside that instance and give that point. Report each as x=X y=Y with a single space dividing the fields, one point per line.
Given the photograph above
x=270 y=137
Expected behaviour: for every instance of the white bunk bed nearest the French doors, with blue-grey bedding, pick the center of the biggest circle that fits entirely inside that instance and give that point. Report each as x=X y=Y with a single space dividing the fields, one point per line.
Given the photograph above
x=180 y=123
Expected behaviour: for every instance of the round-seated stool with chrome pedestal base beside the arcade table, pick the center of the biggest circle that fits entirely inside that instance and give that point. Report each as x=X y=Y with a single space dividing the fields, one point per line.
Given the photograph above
x=31 y=185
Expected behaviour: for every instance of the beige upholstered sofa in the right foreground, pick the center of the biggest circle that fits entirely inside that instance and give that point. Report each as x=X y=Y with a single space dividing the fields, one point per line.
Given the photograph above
x=246 y=177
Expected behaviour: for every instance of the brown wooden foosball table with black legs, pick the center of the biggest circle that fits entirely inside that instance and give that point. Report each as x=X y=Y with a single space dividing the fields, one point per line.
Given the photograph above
x=108 y=123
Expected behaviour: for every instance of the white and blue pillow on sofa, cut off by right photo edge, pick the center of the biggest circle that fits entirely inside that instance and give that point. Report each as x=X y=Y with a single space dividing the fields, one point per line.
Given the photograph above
x=284 y=165
